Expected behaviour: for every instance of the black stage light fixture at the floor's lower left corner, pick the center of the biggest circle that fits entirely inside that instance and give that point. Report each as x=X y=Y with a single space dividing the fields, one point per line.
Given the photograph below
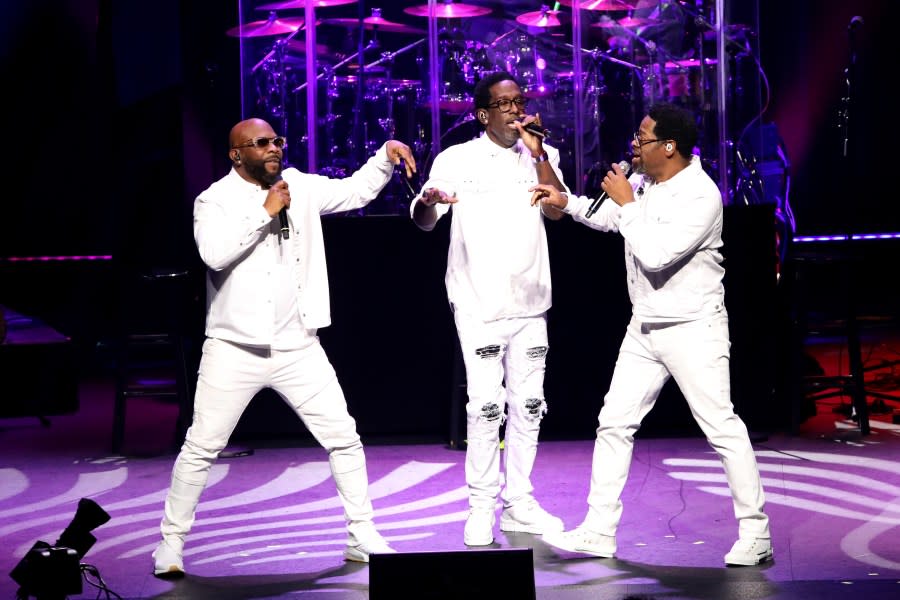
x=54 y=572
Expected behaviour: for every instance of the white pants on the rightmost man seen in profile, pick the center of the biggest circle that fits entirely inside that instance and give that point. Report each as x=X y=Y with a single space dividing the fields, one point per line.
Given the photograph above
x=696 y=354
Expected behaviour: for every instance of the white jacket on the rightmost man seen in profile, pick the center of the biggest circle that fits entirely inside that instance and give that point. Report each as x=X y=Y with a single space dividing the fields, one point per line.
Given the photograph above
x=673 y=236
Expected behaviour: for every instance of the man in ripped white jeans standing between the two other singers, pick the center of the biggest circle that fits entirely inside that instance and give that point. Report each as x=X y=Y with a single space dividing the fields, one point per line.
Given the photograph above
x=498 y=284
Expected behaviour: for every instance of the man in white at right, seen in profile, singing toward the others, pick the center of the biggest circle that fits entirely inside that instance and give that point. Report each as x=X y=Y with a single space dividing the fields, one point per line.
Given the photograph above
x=670 y=215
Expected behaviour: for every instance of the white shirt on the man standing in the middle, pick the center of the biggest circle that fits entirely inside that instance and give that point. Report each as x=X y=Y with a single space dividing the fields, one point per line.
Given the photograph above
x=498 y=263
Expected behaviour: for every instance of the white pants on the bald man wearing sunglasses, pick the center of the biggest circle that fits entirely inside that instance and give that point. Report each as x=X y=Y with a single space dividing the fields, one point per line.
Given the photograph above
x=230 y=375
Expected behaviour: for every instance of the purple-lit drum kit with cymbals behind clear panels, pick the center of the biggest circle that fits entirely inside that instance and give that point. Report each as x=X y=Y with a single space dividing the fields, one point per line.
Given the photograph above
x=643 y=51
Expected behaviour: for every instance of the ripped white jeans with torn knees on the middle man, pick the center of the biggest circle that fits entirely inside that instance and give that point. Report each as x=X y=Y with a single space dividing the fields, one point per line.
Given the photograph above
x=513 y=351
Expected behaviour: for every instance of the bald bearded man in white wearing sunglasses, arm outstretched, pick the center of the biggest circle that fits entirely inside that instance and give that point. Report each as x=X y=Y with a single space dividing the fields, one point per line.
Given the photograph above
x=267 y=295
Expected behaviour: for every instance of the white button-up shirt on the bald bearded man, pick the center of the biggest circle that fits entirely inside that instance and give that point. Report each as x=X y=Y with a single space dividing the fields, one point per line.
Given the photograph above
x=262 y=290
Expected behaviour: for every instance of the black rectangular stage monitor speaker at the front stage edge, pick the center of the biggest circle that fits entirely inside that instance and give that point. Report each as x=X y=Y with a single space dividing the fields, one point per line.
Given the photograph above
x=452 y=575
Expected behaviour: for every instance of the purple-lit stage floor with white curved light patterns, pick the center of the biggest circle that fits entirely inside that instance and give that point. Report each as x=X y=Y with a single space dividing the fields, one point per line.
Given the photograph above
x=270 y=526
